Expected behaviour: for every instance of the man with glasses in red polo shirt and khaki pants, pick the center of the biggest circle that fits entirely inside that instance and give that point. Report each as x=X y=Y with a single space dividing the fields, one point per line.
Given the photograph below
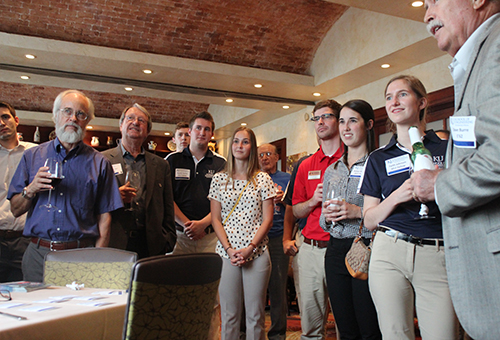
x=307 y=198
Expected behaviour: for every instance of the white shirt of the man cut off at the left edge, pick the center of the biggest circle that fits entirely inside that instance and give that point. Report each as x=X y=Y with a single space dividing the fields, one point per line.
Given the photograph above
x=9 y=159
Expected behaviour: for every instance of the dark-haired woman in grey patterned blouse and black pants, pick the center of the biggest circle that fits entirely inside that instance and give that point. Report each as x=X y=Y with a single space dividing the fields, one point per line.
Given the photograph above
x=350 y=298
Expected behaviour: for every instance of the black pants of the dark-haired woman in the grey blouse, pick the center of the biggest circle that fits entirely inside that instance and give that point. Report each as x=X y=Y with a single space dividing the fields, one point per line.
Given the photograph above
x=350 y=298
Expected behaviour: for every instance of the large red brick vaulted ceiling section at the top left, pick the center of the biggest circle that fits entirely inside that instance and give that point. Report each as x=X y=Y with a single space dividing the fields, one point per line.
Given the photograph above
x=280 y=35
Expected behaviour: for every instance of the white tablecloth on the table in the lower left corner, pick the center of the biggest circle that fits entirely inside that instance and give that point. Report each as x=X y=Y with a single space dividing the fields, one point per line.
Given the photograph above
x=70 y=319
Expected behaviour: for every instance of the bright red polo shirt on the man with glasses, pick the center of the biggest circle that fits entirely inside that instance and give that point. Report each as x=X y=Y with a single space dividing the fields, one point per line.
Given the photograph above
x=309 y=175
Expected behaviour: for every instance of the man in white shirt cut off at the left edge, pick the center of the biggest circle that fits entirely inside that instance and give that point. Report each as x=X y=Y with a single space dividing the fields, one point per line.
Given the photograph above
x=12 y=242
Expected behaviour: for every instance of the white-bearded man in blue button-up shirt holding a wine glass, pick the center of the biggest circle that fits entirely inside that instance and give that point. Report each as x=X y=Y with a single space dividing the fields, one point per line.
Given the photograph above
x=84 y=197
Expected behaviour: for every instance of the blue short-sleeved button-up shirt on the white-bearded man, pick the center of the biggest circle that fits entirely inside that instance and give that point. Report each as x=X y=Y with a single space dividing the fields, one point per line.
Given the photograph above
x=87 y=190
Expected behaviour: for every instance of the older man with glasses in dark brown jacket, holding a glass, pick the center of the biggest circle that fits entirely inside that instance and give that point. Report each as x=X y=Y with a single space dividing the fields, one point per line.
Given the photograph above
x=147 y=225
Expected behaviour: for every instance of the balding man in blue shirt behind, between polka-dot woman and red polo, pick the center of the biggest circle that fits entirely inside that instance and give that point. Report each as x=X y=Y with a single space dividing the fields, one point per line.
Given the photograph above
x=268 y=161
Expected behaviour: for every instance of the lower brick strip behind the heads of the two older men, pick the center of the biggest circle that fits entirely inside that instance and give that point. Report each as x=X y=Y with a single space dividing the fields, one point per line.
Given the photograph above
x=108 y=105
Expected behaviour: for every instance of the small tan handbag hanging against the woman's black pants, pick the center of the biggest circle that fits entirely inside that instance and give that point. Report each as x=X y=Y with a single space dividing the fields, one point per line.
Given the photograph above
x=358 y=257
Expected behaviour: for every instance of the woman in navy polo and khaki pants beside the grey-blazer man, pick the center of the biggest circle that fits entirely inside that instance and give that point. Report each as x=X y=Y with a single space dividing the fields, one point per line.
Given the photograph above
x=407 y=267
